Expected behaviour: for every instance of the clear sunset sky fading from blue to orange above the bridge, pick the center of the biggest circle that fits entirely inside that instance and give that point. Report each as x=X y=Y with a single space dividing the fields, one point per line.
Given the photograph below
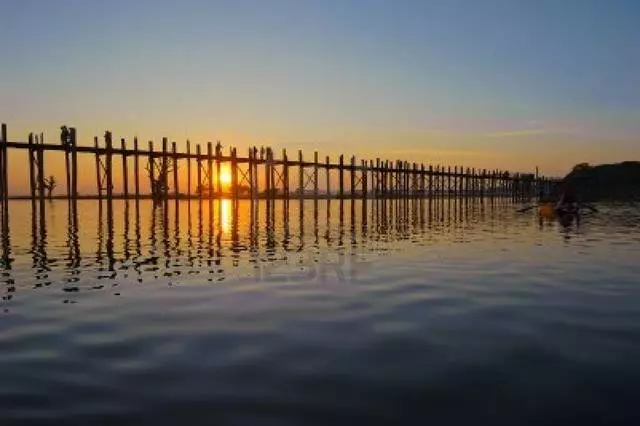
x=512 y=84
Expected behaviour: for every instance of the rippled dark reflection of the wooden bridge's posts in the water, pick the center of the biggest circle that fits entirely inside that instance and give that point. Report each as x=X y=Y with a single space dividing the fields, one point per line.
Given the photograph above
x=209 y=237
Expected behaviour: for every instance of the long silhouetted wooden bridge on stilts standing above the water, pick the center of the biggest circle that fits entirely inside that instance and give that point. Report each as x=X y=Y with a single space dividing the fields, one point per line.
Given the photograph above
x=258 y=175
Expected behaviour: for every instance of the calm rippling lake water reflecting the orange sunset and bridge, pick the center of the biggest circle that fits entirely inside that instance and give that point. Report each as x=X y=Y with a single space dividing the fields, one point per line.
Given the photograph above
x=325 y=314
